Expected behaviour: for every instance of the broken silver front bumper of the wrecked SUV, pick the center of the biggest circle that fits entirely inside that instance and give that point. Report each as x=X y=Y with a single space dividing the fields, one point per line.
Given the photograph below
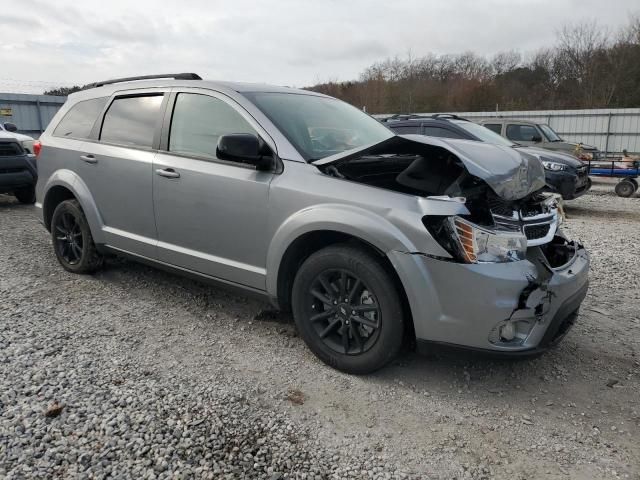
x=465 y=305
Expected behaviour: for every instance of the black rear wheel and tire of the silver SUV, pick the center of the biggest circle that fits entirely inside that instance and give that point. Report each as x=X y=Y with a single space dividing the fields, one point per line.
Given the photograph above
x=72 y=239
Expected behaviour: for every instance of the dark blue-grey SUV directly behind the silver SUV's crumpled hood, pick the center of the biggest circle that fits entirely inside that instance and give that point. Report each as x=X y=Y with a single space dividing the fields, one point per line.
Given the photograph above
x=564 y=173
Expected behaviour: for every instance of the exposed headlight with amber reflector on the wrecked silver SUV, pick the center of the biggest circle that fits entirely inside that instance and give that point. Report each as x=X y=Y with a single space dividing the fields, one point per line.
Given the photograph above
x=476 y=244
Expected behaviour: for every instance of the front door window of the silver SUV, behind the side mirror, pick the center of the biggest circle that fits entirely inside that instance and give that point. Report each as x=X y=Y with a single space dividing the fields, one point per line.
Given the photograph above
x=198 y=122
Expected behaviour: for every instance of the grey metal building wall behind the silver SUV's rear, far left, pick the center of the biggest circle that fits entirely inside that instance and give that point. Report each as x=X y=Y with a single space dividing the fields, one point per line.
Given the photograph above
x=30 y=113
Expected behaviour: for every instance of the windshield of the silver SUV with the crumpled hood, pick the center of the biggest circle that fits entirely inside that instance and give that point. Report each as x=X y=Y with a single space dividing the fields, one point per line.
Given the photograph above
x=319 y=126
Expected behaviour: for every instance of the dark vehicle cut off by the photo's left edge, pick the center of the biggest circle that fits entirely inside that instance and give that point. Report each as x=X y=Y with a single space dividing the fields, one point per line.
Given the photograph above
x=18 y=171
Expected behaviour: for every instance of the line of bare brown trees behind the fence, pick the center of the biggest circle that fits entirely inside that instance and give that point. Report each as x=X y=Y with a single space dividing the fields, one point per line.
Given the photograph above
x=587 y=67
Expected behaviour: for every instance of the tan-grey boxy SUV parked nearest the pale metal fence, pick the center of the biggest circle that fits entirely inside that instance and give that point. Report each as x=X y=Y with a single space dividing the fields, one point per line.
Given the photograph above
x=524 y=132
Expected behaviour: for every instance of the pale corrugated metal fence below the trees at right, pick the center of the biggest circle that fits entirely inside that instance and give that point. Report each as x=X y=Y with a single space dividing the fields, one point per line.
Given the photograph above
x=611 y=130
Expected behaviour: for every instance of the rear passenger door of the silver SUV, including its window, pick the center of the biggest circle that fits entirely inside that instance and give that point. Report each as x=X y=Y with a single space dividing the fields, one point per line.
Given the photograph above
x=117 y=168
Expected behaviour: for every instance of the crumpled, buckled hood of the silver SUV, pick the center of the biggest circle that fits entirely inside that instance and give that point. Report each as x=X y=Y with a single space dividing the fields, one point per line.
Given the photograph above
x=512 y=174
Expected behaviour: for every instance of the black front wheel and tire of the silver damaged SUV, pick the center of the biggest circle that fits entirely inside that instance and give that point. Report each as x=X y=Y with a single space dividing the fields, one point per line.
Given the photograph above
x=348 y=310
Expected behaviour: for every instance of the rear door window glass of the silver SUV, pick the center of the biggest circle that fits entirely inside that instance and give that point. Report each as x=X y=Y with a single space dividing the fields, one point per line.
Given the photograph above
x=131 y=121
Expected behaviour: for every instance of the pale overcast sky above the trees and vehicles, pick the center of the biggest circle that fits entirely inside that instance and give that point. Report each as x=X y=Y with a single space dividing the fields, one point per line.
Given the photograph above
x=285 y=42
